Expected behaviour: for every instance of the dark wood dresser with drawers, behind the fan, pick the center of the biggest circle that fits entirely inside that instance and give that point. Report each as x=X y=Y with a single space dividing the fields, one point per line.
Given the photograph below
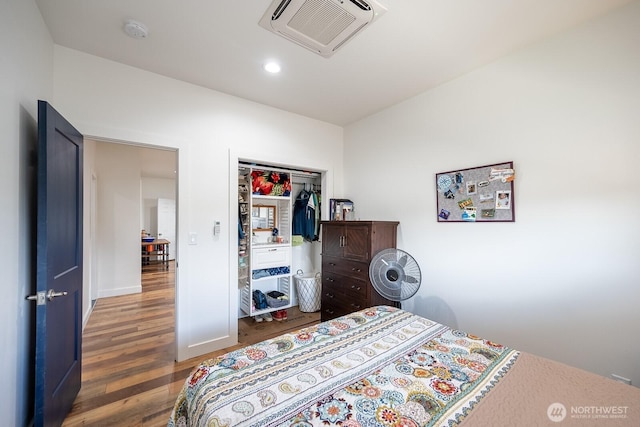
x=347 y=249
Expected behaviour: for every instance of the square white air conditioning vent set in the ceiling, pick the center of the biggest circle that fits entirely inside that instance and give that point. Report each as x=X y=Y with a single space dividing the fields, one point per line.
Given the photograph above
x=322 y=26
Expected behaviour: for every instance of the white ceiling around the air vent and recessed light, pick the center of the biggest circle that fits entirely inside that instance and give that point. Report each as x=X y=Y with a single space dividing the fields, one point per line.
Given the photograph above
x=414 y=46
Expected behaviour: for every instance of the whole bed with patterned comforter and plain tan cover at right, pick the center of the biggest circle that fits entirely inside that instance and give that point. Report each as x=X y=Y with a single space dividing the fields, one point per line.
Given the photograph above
x=384 y=366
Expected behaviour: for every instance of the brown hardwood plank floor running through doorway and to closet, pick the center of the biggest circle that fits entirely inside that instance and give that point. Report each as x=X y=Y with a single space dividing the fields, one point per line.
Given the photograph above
x=129 y=373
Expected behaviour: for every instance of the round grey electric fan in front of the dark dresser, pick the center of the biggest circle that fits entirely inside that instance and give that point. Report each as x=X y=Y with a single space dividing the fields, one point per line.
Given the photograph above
x=395 y=274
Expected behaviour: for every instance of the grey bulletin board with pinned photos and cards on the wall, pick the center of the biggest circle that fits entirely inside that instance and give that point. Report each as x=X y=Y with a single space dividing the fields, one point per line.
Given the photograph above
x=480 y=194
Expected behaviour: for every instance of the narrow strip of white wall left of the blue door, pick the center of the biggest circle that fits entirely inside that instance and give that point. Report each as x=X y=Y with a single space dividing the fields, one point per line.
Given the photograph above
x=26 y=75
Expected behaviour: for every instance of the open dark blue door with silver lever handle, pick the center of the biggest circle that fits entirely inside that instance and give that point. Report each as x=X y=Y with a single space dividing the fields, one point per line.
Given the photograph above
x=59 y=267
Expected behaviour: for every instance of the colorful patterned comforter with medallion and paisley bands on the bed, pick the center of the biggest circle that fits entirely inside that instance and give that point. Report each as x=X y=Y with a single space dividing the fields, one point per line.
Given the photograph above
x=377 y=367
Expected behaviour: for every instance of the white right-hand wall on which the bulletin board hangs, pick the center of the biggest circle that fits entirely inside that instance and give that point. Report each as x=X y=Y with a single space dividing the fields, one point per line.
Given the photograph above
x=562 y=281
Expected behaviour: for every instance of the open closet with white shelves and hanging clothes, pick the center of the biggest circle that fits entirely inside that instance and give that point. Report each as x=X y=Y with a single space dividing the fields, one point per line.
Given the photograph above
x=271 y=247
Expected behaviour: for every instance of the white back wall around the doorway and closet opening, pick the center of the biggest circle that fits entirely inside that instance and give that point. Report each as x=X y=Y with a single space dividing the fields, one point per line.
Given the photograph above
x=210 y=131
